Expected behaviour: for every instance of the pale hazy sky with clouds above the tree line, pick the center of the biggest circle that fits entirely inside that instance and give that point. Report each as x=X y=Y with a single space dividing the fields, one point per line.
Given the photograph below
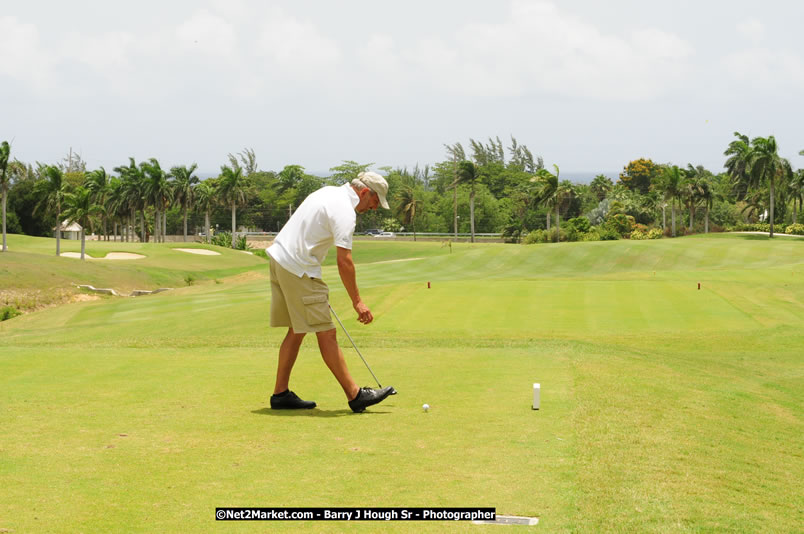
x=587 y=85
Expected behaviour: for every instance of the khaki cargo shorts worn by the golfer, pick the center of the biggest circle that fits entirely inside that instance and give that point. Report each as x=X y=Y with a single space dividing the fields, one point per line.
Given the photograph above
x=300 y=303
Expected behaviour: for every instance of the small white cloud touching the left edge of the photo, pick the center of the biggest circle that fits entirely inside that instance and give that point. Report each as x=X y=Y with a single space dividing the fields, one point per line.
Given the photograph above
x=24 y=59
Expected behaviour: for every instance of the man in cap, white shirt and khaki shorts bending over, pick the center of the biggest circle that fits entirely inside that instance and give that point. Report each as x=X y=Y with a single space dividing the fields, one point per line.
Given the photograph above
x=300 y=299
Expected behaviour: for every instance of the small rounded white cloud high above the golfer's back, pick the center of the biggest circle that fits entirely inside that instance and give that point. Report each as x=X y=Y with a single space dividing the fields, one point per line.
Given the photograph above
x=297 y=47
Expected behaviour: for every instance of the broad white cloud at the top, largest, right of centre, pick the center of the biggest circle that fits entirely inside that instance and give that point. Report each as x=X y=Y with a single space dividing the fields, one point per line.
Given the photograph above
x=541 y=48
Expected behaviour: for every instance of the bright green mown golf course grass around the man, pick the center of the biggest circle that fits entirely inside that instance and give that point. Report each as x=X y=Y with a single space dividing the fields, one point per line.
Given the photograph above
x=665 y=408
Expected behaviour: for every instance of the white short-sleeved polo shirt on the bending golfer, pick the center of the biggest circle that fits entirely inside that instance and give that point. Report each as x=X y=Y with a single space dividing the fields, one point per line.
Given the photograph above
x=327 y=217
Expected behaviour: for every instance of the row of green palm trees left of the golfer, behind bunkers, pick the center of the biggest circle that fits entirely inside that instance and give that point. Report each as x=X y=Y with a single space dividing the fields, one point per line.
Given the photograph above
x=126 y=199
